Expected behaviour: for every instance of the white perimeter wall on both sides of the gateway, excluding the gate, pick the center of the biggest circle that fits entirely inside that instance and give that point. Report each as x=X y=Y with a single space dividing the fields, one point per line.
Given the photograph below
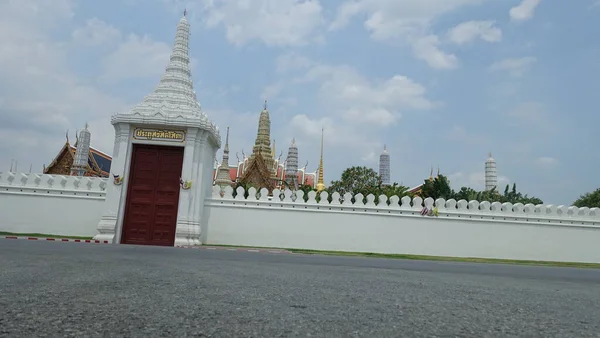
x=68 y=205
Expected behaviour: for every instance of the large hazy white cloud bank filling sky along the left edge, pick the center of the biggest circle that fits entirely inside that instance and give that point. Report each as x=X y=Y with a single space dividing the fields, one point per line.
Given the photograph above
x=41 y=95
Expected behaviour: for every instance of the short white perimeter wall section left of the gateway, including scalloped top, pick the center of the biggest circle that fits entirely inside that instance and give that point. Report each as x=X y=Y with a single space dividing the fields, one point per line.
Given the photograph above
x=50 y=204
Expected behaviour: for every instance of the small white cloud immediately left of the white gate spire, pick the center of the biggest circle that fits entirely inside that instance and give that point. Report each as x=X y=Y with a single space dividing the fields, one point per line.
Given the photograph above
x=137 y=57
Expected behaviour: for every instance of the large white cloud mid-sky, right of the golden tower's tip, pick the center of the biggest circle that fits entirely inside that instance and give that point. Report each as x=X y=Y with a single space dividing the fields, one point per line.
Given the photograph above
x=352 y=108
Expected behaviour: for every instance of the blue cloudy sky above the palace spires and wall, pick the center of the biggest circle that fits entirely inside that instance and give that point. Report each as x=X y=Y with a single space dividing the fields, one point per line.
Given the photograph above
x=442 y=83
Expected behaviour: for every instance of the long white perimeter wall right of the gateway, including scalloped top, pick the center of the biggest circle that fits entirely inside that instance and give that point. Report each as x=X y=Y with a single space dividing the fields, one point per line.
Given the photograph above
x=530 y=232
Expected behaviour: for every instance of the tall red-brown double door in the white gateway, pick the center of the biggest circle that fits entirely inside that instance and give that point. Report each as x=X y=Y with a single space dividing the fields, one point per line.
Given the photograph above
x=152 y=195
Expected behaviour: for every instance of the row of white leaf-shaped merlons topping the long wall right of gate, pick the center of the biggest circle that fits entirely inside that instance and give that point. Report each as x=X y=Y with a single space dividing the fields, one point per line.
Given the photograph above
x=451 y=208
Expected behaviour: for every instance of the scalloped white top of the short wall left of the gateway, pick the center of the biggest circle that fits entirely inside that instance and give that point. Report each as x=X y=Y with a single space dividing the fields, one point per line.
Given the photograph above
x=44 y=183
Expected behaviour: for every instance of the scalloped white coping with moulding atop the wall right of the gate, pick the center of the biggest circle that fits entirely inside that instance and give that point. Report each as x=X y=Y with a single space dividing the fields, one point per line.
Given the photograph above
x=405 y=207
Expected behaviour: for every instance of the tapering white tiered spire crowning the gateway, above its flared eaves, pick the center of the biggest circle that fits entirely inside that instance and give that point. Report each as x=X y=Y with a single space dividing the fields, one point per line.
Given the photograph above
x=175 y=92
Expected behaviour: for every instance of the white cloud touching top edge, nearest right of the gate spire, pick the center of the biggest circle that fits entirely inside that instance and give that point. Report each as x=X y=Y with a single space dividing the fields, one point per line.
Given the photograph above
x=273 y=22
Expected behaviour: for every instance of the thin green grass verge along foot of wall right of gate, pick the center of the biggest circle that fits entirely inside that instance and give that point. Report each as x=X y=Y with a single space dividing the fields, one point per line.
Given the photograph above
x=433 y=258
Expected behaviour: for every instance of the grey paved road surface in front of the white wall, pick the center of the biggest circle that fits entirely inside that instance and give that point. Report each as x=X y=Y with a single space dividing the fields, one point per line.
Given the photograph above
x=58 y=289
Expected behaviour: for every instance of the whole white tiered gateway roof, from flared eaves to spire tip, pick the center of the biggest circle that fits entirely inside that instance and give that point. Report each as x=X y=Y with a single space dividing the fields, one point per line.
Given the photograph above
x=173 y=101
